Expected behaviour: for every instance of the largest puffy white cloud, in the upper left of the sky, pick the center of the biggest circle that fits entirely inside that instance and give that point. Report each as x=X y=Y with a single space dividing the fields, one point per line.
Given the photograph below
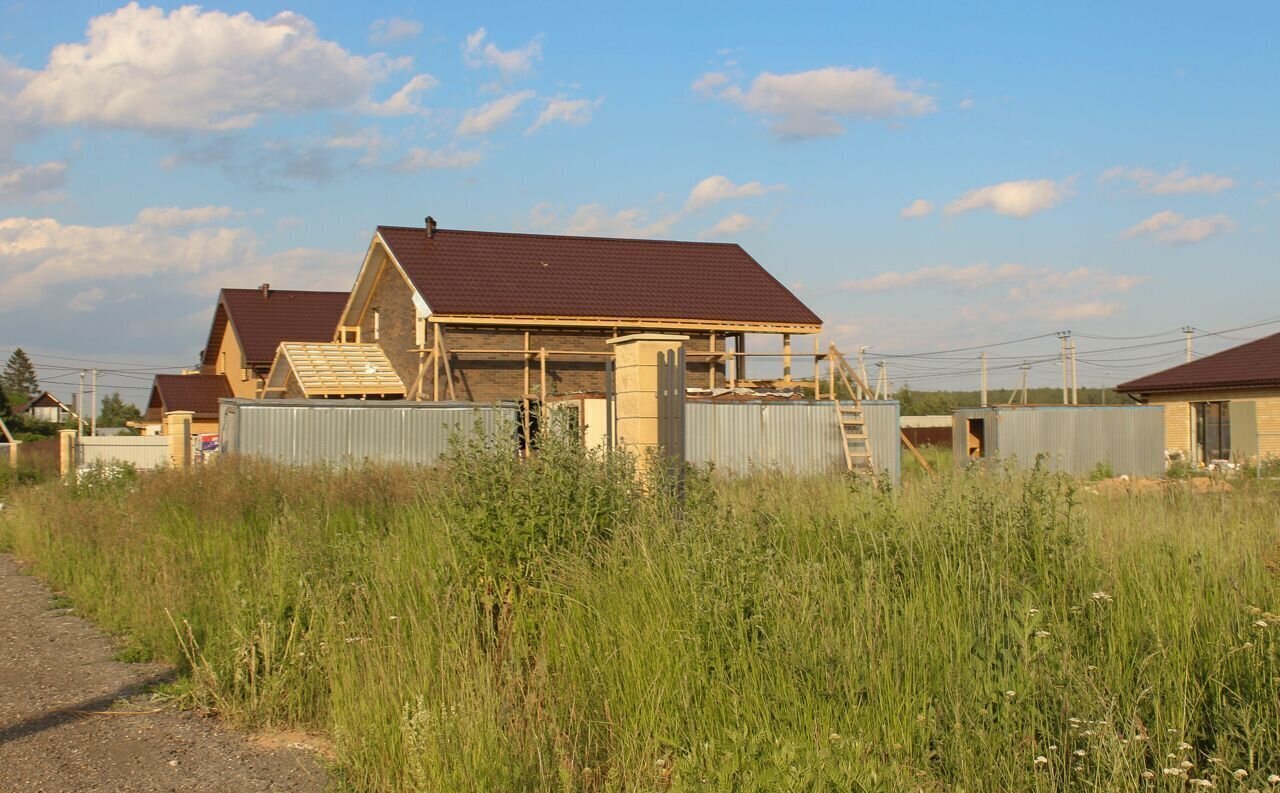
x=198 y=71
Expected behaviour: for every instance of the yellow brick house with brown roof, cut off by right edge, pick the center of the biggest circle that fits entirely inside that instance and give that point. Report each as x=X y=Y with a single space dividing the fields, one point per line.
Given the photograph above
x=1226 y=406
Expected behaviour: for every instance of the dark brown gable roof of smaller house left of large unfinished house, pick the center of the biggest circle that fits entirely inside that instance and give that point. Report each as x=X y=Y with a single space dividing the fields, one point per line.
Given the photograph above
x=284 y=315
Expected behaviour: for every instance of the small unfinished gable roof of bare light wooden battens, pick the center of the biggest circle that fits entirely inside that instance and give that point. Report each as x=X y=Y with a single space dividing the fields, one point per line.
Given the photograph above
x=335 y=370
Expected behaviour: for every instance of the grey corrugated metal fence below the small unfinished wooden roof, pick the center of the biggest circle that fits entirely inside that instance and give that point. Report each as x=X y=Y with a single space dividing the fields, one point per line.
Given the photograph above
x=309 y=432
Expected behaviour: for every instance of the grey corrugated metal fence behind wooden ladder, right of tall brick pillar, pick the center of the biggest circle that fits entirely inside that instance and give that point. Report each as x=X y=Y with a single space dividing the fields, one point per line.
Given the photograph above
x=792 y=437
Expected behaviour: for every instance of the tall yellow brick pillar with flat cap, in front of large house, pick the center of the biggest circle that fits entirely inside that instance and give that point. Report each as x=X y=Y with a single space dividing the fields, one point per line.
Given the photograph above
x=636 y=366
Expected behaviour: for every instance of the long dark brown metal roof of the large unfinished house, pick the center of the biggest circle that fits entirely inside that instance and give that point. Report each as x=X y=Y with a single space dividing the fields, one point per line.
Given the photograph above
x=501 y=274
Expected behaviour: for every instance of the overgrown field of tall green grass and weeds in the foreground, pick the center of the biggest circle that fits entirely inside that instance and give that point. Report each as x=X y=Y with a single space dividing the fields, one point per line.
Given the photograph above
x=496 y=626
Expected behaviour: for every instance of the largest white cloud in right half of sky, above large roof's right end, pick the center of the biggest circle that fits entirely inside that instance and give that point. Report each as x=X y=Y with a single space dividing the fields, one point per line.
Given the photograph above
x=812 y=104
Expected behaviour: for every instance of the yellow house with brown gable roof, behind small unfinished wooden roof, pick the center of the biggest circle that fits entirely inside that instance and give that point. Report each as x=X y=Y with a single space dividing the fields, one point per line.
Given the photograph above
x=250 y=324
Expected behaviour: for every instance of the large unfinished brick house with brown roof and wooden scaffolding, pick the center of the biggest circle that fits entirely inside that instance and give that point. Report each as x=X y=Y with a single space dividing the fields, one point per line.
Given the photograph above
x=486 y=317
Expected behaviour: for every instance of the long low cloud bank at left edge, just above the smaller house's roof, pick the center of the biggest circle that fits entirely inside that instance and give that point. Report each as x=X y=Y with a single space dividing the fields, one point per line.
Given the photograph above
x=42 y=254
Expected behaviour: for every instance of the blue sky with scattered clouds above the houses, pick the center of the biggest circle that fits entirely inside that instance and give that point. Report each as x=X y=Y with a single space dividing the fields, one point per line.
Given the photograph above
x=932 y=180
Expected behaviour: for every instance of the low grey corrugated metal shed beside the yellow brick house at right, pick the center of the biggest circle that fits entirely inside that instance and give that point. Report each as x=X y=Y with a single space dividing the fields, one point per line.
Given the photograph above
x=1131 y=441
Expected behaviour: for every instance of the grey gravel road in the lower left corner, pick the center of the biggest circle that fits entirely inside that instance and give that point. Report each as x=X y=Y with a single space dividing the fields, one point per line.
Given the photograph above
x=57 y=684
